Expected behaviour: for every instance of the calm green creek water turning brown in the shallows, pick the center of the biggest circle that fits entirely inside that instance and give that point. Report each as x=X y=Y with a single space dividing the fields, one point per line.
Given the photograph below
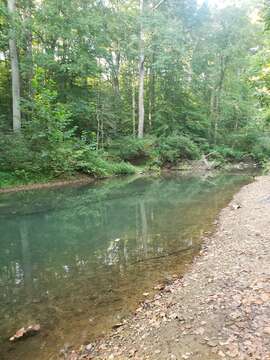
x=77 y=260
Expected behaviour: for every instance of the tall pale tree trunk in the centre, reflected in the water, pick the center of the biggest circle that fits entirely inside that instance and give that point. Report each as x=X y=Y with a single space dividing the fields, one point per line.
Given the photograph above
x=141 y=75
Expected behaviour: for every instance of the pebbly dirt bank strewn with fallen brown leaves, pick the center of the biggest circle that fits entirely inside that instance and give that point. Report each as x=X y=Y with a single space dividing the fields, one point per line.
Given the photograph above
x=221 y=308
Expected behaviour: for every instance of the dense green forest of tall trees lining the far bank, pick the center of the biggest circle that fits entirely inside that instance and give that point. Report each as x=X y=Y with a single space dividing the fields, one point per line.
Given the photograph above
x=111 y=87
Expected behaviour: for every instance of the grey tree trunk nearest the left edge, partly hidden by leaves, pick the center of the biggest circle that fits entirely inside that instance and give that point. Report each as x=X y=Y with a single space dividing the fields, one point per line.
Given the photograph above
x=15 y=76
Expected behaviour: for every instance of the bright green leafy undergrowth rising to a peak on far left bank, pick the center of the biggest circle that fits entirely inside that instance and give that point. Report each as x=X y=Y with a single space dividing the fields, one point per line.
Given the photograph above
x=48 y=144
